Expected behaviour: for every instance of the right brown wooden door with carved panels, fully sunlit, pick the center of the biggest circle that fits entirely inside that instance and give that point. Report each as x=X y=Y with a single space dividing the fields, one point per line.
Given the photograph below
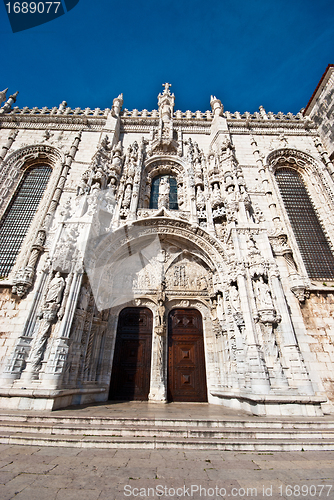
x=186 y=361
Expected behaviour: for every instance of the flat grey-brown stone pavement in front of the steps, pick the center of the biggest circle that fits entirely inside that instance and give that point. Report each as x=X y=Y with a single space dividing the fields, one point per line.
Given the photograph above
x=56 y=473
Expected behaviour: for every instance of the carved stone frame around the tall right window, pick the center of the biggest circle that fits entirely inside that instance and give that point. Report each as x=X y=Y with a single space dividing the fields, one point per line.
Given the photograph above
x=313 y=174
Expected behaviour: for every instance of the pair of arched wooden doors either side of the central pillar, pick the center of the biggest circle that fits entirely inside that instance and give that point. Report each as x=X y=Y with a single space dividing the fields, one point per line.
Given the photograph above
x=186 y=374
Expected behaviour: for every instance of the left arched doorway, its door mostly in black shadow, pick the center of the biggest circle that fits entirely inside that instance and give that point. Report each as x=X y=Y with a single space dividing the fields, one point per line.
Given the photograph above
x=130 y=378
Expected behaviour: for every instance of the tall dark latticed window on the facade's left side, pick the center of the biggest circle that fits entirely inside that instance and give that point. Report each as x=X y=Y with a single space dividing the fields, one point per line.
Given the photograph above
x=20 y=212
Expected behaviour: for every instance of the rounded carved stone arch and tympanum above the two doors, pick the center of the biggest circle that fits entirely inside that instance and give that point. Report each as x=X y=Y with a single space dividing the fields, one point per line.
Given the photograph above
x=134 y=260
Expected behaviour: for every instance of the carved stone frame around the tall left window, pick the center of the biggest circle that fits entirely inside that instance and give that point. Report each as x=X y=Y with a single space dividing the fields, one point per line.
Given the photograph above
x=13 y=171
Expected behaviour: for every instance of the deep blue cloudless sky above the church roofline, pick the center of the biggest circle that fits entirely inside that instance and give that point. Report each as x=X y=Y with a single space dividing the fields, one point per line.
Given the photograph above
x=246 y=52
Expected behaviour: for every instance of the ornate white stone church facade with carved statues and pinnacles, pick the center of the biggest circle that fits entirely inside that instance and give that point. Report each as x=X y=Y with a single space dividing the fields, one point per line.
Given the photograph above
x=166 y=210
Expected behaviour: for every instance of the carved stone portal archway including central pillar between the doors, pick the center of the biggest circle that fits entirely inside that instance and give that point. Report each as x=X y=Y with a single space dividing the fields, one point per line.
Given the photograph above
x=178 y=268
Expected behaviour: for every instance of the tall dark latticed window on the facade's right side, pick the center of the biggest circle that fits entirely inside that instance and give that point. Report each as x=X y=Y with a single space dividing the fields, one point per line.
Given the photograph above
x=310 y=237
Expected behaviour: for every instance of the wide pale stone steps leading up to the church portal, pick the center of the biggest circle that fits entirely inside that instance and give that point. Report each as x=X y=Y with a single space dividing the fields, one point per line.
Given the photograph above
x=227 y=434
